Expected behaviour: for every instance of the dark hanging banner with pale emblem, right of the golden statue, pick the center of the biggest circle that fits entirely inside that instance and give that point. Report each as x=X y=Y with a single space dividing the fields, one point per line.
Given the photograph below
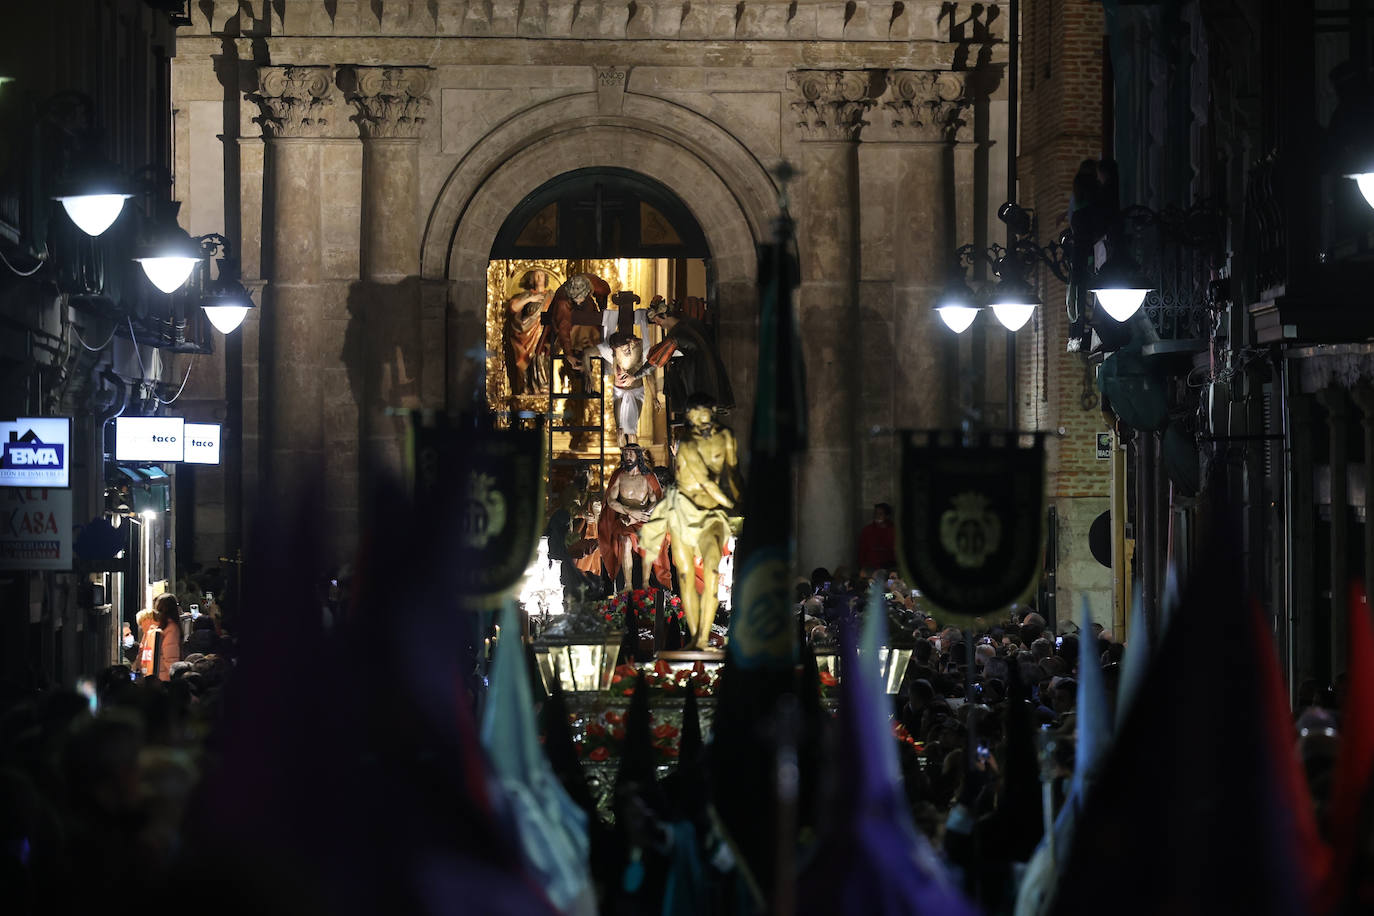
x=971 y=528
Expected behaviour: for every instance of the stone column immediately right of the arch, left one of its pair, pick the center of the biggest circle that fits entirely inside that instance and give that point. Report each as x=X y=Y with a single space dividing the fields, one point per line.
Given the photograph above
x=831 y=106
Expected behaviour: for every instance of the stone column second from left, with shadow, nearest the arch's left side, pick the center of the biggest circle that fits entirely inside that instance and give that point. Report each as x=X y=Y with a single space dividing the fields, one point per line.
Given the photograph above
x=392 y=109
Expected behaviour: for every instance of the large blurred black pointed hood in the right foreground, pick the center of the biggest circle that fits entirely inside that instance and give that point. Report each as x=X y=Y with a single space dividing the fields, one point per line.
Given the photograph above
x=1196 y=810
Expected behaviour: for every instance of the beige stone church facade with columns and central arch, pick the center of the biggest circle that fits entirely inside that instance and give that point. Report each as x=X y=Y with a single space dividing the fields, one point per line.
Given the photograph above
x=368 y=159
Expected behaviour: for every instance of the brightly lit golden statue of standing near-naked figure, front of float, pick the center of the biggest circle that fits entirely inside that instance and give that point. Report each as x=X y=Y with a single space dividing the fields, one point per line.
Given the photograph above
x=696 y=514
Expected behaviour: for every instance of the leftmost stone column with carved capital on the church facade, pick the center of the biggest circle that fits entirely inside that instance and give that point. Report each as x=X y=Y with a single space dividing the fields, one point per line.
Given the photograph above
x=297 y=112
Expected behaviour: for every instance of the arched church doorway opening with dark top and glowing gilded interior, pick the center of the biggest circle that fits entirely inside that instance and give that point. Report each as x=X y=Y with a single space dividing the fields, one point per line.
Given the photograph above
x=640 y=240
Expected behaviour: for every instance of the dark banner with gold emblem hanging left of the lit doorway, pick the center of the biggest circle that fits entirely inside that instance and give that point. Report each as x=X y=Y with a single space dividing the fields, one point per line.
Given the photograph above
x=482 y=492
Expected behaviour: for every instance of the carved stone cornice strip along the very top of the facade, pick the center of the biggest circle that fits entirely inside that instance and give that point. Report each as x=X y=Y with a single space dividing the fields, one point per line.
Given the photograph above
x=646 y=20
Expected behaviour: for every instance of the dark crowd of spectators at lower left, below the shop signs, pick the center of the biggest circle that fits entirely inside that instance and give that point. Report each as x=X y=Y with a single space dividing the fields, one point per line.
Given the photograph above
x=95 y=782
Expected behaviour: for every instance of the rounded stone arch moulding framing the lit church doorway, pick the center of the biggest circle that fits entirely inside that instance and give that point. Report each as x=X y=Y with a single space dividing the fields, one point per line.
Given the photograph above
x=723 y=186
